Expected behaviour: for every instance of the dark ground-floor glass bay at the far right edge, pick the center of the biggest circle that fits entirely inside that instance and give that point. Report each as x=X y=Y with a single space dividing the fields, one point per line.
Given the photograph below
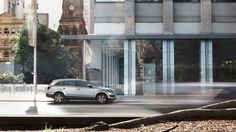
x=224 y=60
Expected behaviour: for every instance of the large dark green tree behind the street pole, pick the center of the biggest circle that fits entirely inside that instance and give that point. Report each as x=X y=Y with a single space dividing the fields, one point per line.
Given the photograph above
x=53 y=61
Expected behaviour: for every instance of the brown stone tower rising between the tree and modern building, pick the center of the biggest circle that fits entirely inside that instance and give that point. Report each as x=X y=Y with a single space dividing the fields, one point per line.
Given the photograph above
x=72 y=23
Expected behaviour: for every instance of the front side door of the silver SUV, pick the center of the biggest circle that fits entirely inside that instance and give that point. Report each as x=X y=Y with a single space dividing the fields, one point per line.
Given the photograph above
x=85 y=91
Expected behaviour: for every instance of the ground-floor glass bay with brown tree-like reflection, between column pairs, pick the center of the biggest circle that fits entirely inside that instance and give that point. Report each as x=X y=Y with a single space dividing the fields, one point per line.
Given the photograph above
x=148 y=67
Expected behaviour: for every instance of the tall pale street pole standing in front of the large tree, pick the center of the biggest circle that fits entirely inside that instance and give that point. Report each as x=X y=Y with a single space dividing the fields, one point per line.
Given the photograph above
x=34 y=43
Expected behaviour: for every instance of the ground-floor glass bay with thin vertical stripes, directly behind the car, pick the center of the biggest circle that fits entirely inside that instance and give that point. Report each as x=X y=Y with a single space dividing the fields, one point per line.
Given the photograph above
x=105 y=63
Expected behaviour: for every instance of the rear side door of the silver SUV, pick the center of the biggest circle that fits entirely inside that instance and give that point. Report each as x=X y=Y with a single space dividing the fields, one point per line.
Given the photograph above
x=70 y=88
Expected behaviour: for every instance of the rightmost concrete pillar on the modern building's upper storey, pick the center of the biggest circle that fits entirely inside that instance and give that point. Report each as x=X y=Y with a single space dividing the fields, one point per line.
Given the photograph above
x=206 y=18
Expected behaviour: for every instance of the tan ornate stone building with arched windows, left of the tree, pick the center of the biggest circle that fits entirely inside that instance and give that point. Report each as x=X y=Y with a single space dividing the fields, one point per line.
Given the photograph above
x=9 y=25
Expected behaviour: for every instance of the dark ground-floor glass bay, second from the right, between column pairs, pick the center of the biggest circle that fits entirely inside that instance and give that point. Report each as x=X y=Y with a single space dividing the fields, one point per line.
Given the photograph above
x=187 y=60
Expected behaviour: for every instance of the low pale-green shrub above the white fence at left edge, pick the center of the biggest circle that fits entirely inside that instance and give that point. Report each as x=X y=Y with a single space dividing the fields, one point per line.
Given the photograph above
x=9 y=77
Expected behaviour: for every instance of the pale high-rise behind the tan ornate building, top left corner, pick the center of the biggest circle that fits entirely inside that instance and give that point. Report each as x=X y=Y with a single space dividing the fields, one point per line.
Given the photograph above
x=15 y=7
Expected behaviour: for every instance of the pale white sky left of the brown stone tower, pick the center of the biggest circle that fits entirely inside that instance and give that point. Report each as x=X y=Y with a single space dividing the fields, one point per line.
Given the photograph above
x=53 y=7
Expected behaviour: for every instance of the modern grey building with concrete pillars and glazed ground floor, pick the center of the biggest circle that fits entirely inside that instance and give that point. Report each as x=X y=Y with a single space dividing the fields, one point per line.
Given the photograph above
x=153 y=47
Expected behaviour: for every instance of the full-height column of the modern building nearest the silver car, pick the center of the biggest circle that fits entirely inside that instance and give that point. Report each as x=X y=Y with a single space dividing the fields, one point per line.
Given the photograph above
x=129 y=50
